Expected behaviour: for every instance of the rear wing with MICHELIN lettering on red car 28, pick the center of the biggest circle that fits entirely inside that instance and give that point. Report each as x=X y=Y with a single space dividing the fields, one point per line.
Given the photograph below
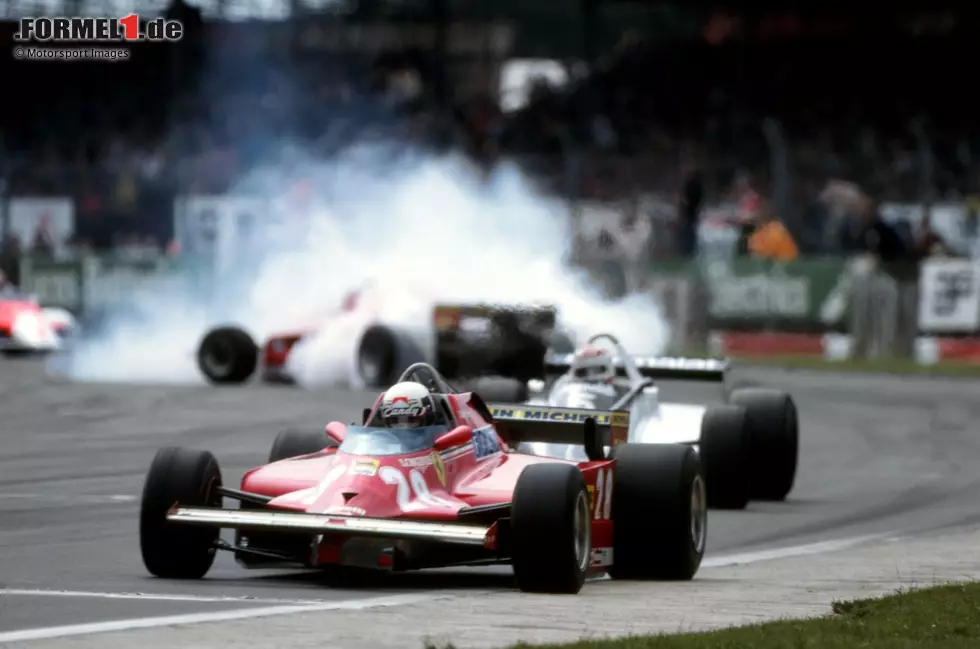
x=523 y=423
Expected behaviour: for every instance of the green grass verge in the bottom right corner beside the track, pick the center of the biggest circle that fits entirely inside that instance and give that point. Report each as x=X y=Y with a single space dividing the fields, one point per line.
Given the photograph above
x=944 y=617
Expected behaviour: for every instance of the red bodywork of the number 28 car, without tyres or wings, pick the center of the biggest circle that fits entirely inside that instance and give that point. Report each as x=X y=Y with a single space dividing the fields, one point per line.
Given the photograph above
x=428 y=485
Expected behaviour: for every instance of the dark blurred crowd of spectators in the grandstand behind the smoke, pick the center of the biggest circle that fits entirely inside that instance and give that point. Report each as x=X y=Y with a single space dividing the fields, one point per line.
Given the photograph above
x=685 y=124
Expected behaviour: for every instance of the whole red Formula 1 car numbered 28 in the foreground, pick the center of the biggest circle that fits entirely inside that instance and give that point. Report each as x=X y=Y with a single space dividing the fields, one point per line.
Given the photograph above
x=453 y=494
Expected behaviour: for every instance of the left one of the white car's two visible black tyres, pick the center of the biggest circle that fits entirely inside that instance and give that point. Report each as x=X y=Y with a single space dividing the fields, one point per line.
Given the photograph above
x=724 y=449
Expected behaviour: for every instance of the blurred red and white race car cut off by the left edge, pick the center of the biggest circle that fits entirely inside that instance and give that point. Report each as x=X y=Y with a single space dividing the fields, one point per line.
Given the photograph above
x=27 y=328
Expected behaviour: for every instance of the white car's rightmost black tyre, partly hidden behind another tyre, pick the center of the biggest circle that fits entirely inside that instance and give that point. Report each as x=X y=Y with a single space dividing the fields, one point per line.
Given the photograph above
x=774 y=440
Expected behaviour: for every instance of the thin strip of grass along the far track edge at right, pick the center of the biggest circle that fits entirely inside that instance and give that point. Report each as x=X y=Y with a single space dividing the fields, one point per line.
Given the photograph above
x=871 y=365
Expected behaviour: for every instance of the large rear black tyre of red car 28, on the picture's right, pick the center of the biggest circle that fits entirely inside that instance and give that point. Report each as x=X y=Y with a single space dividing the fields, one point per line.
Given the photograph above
x=660 y=512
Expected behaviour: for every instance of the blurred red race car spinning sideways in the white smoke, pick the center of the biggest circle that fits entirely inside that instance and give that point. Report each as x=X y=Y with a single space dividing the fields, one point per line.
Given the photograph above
x=461 y=341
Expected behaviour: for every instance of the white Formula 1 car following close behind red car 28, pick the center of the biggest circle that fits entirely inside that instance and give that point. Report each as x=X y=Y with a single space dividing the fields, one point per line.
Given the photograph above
x=748 y=448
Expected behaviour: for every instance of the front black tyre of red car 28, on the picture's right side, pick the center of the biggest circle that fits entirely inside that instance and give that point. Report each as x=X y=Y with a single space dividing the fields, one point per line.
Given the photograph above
x=551 y=529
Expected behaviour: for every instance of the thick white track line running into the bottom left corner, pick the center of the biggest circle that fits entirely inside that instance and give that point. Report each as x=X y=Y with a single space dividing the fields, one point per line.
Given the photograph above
x=217 y=616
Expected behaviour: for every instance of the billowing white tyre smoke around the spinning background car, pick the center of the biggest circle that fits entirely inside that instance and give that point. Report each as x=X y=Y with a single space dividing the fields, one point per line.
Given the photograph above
x=419 y=228
